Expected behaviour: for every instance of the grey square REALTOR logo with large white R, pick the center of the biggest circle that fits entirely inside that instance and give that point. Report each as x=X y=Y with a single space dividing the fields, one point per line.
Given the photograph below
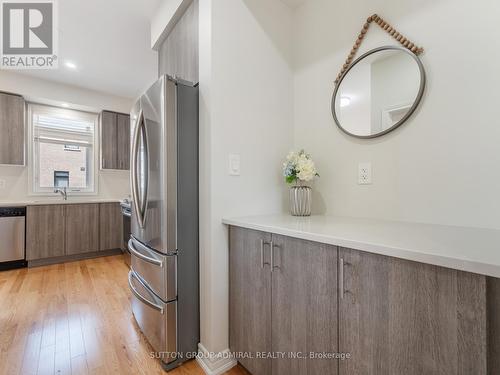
x=29 y=34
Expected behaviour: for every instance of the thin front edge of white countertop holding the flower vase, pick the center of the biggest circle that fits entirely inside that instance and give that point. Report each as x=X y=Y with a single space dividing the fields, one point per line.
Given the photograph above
x=457 y=263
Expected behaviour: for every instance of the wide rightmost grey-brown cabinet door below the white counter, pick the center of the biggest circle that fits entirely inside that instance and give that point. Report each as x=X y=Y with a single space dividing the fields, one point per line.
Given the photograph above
x=400 y=317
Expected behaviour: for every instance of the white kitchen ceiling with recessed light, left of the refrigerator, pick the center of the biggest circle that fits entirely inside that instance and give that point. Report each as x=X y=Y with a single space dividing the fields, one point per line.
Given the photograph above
x=109 y=42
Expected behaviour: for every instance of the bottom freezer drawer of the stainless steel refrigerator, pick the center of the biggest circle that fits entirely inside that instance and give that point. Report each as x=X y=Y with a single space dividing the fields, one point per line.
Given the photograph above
x=157 y=319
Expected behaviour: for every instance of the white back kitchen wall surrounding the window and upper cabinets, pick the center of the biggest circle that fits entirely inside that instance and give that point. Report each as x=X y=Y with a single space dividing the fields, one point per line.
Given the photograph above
x=112 y=184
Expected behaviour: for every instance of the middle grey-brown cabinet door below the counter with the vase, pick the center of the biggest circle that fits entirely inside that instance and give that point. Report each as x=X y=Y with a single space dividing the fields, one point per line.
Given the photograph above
x=304 y=306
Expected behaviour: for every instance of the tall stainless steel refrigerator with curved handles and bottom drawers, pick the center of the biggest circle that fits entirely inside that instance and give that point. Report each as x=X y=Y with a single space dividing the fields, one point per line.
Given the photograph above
x=164 y=275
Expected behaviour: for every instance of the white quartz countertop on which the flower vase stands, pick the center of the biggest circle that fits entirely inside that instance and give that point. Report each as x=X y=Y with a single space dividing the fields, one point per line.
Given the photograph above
x=463 y=248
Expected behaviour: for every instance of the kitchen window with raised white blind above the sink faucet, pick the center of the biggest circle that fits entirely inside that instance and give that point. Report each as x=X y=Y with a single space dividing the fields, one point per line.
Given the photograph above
x=62 y=150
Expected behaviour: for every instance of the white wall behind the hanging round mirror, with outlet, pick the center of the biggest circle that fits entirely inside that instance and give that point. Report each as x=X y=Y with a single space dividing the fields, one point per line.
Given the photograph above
x=439 y=167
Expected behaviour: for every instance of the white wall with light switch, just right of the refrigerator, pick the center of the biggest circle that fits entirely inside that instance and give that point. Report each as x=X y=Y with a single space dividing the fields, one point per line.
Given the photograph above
x=246 y=105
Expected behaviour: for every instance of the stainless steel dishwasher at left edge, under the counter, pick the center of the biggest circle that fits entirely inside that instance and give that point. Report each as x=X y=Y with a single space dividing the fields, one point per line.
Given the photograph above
x=12 y=237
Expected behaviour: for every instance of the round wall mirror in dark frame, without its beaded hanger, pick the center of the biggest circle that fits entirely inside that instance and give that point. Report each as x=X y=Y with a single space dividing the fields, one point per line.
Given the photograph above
x=378 y=92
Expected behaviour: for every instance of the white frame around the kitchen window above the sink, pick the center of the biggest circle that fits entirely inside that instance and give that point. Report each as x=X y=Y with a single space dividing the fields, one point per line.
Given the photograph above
x=33 y=165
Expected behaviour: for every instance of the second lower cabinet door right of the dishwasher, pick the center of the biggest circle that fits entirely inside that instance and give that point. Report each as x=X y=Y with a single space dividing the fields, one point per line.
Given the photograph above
x=82 y=228
